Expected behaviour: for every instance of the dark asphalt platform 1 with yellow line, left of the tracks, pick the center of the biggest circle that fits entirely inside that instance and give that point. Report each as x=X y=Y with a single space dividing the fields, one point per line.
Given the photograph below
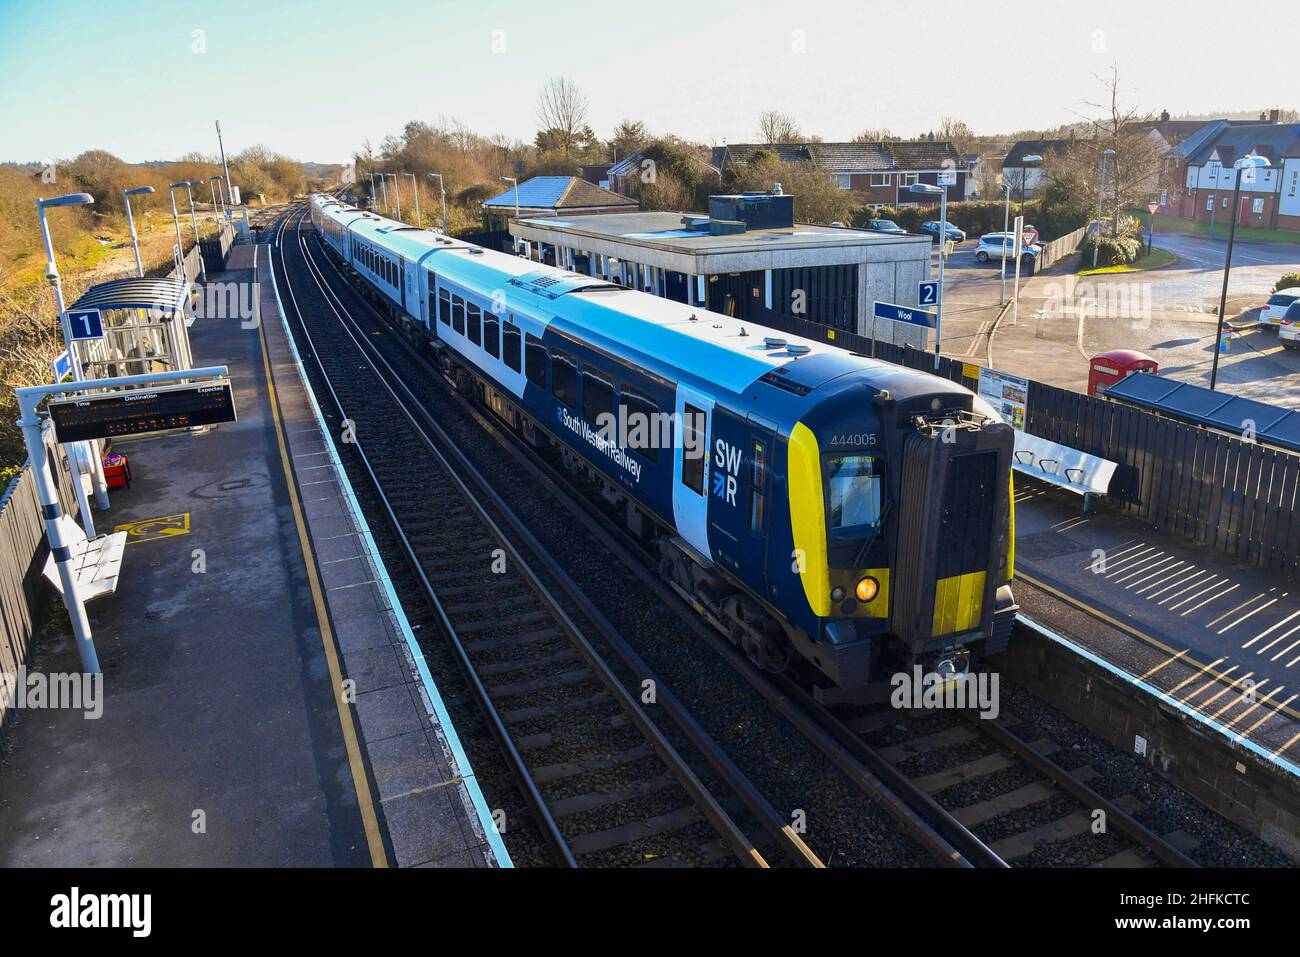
x=263 y=700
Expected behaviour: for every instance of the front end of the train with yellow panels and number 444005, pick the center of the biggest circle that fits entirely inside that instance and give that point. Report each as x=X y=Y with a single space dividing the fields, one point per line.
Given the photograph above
x=908 y=544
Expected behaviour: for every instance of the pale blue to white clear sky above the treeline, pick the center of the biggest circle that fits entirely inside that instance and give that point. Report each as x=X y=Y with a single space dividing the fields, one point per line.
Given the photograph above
x=146 y=79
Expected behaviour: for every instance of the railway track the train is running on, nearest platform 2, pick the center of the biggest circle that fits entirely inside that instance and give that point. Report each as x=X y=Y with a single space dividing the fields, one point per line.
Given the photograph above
x=939 y=822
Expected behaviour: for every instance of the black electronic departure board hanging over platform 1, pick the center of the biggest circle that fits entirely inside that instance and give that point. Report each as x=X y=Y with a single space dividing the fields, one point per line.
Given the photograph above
x=141 y=412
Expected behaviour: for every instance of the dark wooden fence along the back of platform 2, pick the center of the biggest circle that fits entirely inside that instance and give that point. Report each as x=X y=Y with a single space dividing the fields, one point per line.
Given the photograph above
x=1216 y=490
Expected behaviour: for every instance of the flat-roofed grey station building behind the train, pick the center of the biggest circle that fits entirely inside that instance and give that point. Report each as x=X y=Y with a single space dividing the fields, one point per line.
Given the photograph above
x=747 y=258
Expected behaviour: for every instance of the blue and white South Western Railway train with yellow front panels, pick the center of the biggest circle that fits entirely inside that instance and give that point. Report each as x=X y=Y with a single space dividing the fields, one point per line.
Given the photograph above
x=821 y=506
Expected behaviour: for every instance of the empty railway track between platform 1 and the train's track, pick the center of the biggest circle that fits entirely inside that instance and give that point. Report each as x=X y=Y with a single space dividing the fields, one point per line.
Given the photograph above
x=603 y=783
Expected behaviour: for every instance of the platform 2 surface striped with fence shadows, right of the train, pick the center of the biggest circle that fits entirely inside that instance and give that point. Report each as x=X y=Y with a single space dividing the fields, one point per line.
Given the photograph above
x=1217 y=636
